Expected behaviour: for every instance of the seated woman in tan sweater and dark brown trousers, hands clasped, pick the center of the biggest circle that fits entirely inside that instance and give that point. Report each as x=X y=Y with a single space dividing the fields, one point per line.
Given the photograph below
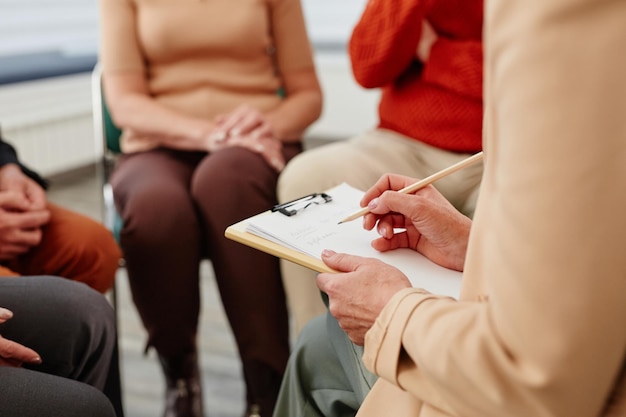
x=213 y=98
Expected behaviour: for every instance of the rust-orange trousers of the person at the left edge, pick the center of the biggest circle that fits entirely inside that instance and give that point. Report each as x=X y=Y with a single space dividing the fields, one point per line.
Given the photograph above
x=73 y=246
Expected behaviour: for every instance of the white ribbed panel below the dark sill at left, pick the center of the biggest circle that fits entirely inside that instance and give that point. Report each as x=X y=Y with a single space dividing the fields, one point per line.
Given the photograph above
x=50 y=122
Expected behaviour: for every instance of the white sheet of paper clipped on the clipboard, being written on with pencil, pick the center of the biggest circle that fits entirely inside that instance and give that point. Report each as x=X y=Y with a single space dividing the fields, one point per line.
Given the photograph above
x=316 y=228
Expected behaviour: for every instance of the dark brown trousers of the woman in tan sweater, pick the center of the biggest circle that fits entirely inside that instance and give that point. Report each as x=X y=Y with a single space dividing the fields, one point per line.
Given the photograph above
x=175 y=207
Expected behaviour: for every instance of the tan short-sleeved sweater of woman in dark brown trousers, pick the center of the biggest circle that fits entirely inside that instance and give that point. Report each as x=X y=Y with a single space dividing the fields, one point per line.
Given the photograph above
x=204 y=57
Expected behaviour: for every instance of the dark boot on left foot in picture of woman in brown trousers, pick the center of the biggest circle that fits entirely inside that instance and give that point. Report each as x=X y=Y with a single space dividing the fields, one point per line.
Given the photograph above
x=183 y=392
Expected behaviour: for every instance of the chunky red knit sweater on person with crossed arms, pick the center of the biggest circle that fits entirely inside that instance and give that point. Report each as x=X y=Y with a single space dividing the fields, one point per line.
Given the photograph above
x=439 y=102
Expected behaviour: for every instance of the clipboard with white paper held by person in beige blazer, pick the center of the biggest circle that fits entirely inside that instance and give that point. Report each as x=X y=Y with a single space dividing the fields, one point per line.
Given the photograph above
x=349 y=238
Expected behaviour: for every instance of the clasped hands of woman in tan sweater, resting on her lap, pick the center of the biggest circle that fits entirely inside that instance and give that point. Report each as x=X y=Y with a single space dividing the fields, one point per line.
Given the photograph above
x=248 y=128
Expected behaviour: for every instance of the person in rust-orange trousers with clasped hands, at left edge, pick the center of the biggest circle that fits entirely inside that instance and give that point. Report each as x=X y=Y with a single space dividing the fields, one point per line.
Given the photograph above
x=41 y=238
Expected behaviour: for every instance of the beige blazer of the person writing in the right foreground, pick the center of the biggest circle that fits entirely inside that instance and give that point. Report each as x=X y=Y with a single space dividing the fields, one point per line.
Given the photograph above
x=540 y=329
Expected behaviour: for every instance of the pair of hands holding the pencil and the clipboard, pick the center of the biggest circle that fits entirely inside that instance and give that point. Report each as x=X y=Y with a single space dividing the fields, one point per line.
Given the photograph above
x=427 y=223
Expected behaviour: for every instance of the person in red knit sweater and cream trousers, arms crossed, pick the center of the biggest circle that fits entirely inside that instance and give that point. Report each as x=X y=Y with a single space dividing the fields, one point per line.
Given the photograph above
x=426 y=57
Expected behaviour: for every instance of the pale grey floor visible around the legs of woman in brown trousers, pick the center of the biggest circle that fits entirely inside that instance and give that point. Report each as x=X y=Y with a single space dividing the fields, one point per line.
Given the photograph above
x=142 y=379
